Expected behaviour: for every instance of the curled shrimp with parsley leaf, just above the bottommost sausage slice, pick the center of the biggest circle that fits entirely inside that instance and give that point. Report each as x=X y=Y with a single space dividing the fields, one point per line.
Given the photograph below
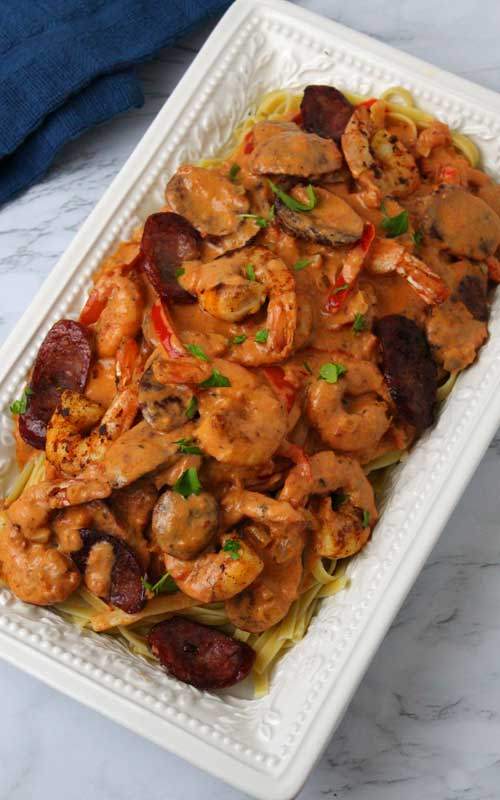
x=217 y=576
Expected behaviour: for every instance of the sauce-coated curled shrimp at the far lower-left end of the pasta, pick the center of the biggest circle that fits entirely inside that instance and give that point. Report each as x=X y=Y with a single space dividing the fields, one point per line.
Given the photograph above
x=37 y=573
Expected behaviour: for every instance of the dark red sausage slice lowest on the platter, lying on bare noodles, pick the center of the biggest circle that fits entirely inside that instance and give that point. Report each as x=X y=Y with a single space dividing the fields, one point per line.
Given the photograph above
x=199 y=655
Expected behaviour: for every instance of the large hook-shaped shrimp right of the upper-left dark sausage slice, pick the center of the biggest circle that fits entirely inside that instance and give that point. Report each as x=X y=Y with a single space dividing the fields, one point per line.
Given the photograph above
x=236 y=286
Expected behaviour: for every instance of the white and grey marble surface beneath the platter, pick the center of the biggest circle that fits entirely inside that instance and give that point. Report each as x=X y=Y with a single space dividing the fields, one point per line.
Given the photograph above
x=425 y=722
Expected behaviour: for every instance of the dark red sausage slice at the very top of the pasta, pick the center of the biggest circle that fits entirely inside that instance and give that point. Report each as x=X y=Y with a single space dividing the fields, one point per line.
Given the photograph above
x=325 y=111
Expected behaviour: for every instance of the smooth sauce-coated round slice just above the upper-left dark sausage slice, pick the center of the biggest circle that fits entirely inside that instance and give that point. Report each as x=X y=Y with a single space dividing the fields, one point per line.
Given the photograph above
x=211 y=203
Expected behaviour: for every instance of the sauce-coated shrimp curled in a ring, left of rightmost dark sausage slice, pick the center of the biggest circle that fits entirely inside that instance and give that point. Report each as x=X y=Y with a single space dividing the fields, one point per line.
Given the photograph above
x=360 y=424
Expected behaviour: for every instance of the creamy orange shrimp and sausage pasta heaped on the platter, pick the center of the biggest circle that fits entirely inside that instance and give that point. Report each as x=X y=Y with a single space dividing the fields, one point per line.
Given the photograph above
x=199 y=451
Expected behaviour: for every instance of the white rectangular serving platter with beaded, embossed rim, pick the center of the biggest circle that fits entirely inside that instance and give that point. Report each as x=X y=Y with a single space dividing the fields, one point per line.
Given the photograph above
x=264 y=747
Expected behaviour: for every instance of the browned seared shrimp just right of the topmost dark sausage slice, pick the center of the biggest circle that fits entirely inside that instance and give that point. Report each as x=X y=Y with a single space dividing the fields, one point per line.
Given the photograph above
x=377 y=159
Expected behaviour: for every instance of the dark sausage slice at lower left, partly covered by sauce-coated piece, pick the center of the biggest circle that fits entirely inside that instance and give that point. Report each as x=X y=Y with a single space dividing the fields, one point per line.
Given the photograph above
x=125 y=587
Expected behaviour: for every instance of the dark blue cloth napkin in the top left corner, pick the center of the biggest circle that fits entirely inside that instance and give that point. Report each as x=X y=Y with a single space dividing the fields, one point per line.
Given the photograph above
x=66 y=65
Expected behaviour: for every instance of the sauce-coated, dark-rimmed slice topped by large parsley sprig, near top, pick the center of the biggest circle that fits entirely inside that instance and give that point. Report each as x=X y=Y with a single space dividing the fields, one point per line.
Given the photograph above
x=331 y=222
